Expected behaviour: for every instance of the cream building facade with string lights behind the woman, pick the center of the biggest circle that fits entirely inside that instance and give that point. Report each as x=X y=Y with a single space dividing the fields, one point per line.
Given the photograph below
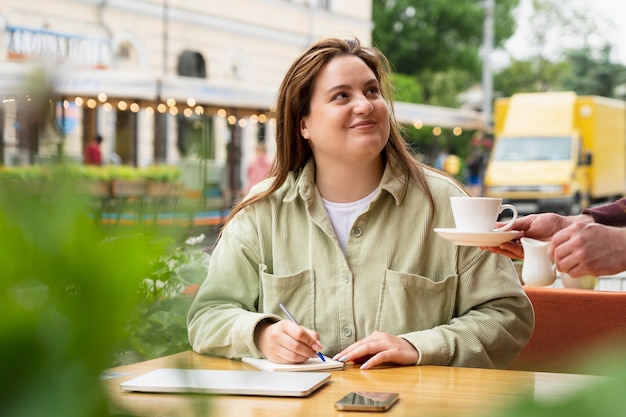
x=162 y=81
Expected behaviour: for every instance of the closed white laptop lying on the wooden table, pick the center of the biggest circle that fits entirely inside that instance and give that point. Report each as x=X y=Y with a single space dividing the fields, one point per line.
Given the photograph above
x=235 y=382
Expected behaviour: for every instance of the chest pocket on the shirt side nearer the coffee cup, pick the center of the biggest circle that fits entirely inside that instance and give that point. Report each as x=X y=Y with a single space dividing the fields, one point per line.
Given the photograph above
x=410 y=302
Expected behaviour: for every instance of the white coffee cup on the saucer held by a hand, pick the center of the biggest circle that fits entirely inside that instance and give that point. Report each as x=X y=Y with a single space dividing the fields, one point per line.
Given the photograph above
x=480 y=214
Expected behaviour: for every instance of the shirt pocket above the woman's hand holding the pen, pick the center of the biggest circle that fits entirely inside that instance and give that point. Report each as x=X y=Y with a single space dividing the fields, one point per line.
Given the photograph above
x=295 y=291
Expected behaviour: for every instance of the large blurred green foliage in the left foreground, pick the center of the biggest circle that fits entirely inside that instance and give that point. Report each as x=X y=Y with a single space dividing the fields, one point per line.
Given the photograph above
x=65 y=294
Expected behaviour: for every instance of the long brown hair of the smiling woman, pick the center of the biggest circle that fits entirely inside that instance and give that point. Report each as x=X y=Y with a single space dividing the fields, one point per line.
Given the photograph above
x=294 y=98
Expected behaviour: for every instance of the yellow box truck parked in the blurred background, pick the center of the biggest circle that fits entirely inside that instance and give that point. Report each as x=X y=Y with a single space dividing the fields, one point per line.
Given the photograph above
x=557 y=151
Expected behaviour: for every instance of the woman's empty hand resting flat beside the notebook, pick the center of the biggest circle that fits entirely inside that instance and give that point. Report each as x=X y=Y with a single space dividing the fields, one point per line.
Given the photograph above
x=379 y=348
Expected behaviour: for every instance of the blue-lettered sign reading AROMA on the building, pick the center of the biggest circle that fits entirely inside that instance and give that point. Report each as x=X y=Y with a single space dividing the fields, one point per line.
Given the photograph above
x=25 y=43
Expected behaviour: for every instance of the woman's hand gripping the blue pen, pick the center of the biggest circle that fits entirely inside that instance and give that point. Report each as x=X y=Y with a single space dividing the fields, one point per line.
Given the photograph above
x=286 y=342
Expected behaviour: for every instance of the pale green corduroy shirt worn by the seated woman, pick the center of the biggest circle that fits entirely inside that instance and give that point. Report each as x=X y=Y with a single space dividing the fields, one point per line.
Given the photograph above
x=457 y=305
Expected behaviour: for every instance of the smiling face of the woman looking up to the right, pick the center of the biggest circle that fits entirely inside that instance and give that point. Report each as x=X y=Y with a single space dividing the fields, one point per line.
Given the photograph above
x=349 y=119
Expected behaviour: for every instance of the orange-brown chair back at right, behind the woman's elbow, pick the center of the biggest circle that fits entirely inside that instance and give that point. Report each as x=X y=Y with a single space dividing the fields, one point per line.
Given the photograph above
x=572 y=326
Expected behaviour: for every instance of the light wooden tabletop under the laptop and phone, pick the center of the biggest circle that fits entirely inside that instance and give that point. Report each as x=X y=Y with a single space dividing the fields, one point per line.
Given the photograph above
x=424 y=391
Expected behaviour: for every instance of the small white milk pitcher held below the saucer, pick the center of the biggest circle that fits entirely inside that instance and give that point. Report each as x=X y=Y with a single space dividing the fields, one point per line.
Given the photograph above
x=538 y=270
